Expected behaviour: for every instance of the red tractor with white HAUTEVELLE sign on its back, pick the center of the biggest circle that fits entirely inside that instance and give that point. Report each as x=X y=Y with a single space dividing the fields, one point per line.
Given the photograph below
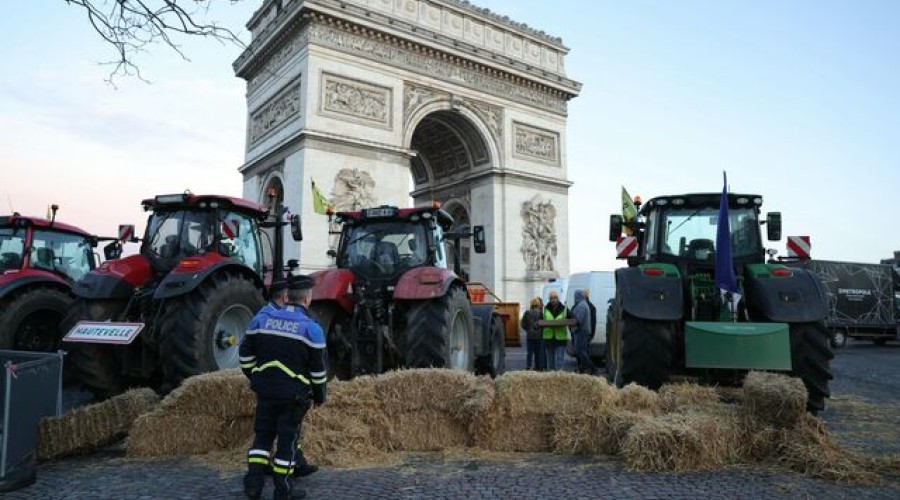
x=189 y=294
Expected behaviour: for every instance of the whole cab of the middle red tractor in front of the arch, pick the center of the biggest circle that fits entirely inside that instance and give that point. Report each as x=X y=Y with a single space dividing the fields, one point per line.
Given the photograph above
x=382 y=243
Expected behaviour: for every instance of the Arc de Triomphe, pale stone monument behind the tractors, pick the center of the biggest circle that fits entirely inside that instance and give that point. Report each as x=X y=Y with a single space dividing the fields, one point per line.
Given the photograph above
x=409 y=101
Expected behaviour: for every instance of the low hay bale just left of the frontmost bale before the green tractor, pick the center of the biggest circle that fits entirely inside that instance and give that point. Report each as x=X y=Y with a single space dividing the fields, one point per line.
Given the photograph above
x=602 y=433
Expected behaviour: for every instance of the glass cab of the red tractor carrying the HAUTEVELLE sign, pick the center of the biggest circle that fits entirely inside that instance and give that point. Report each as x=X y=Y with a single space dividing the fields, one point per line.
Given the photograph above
x=186 y=226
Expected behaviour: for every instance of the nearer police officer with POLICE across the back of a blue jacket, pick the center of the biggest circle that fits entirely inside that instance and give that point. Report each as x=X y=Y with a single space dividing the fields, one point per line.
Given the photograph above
x=283 y=354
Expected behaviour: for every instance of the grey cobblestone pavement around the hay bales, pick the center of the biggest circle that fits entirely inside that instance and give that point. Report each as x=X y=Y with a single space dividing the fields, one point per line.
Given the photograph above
x=862 y=373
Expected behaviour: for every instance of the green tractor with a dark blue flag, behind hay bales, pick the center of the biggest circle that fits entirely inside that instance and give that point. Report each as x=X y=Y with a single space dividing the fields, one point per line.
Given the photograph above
x=671 y=314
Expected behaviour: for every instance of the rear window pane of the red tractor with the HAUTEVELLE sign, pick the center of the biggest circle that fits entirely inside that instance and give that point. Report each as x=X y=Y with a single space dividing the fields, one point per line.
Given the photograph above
x=179 y=233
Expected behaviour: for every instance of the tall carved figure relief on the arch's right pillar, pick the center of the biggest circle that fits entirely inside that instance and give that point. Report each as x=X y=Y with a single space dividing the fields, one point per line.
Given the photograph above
x=539 y=235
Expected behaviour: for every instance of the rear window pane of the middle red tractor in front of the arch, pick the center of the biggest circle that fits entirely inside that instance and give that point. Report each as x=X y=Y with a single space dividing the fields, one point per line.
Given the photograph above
x=384 y=248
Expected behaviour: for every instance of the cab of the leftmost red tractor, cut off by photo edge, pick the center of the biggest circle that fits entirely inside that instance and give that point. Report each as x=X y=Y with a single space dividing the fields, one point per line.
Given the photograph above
x=45 y=245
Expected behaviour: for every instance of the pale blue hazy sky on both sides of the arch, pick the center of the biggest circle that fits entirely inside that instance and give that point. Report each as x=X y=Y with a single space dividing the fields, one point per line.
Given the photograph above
x=797 y=100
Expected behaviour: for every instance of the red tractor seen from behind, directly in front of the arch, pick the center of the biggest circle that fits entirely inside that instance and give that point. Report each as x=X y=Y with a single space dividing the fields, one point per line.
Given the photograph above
x=392 y=302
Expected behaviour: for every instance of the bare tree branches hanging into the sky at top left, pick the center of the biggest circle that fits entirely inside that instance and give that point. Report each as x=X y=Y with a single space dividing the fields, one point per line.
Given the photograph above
x=130 y=26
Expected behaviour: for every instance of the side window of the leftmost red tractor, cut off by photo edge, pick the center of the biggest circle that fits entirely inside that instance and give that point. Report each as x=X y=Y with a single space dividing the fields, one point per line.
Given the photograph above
x=66 y=253
